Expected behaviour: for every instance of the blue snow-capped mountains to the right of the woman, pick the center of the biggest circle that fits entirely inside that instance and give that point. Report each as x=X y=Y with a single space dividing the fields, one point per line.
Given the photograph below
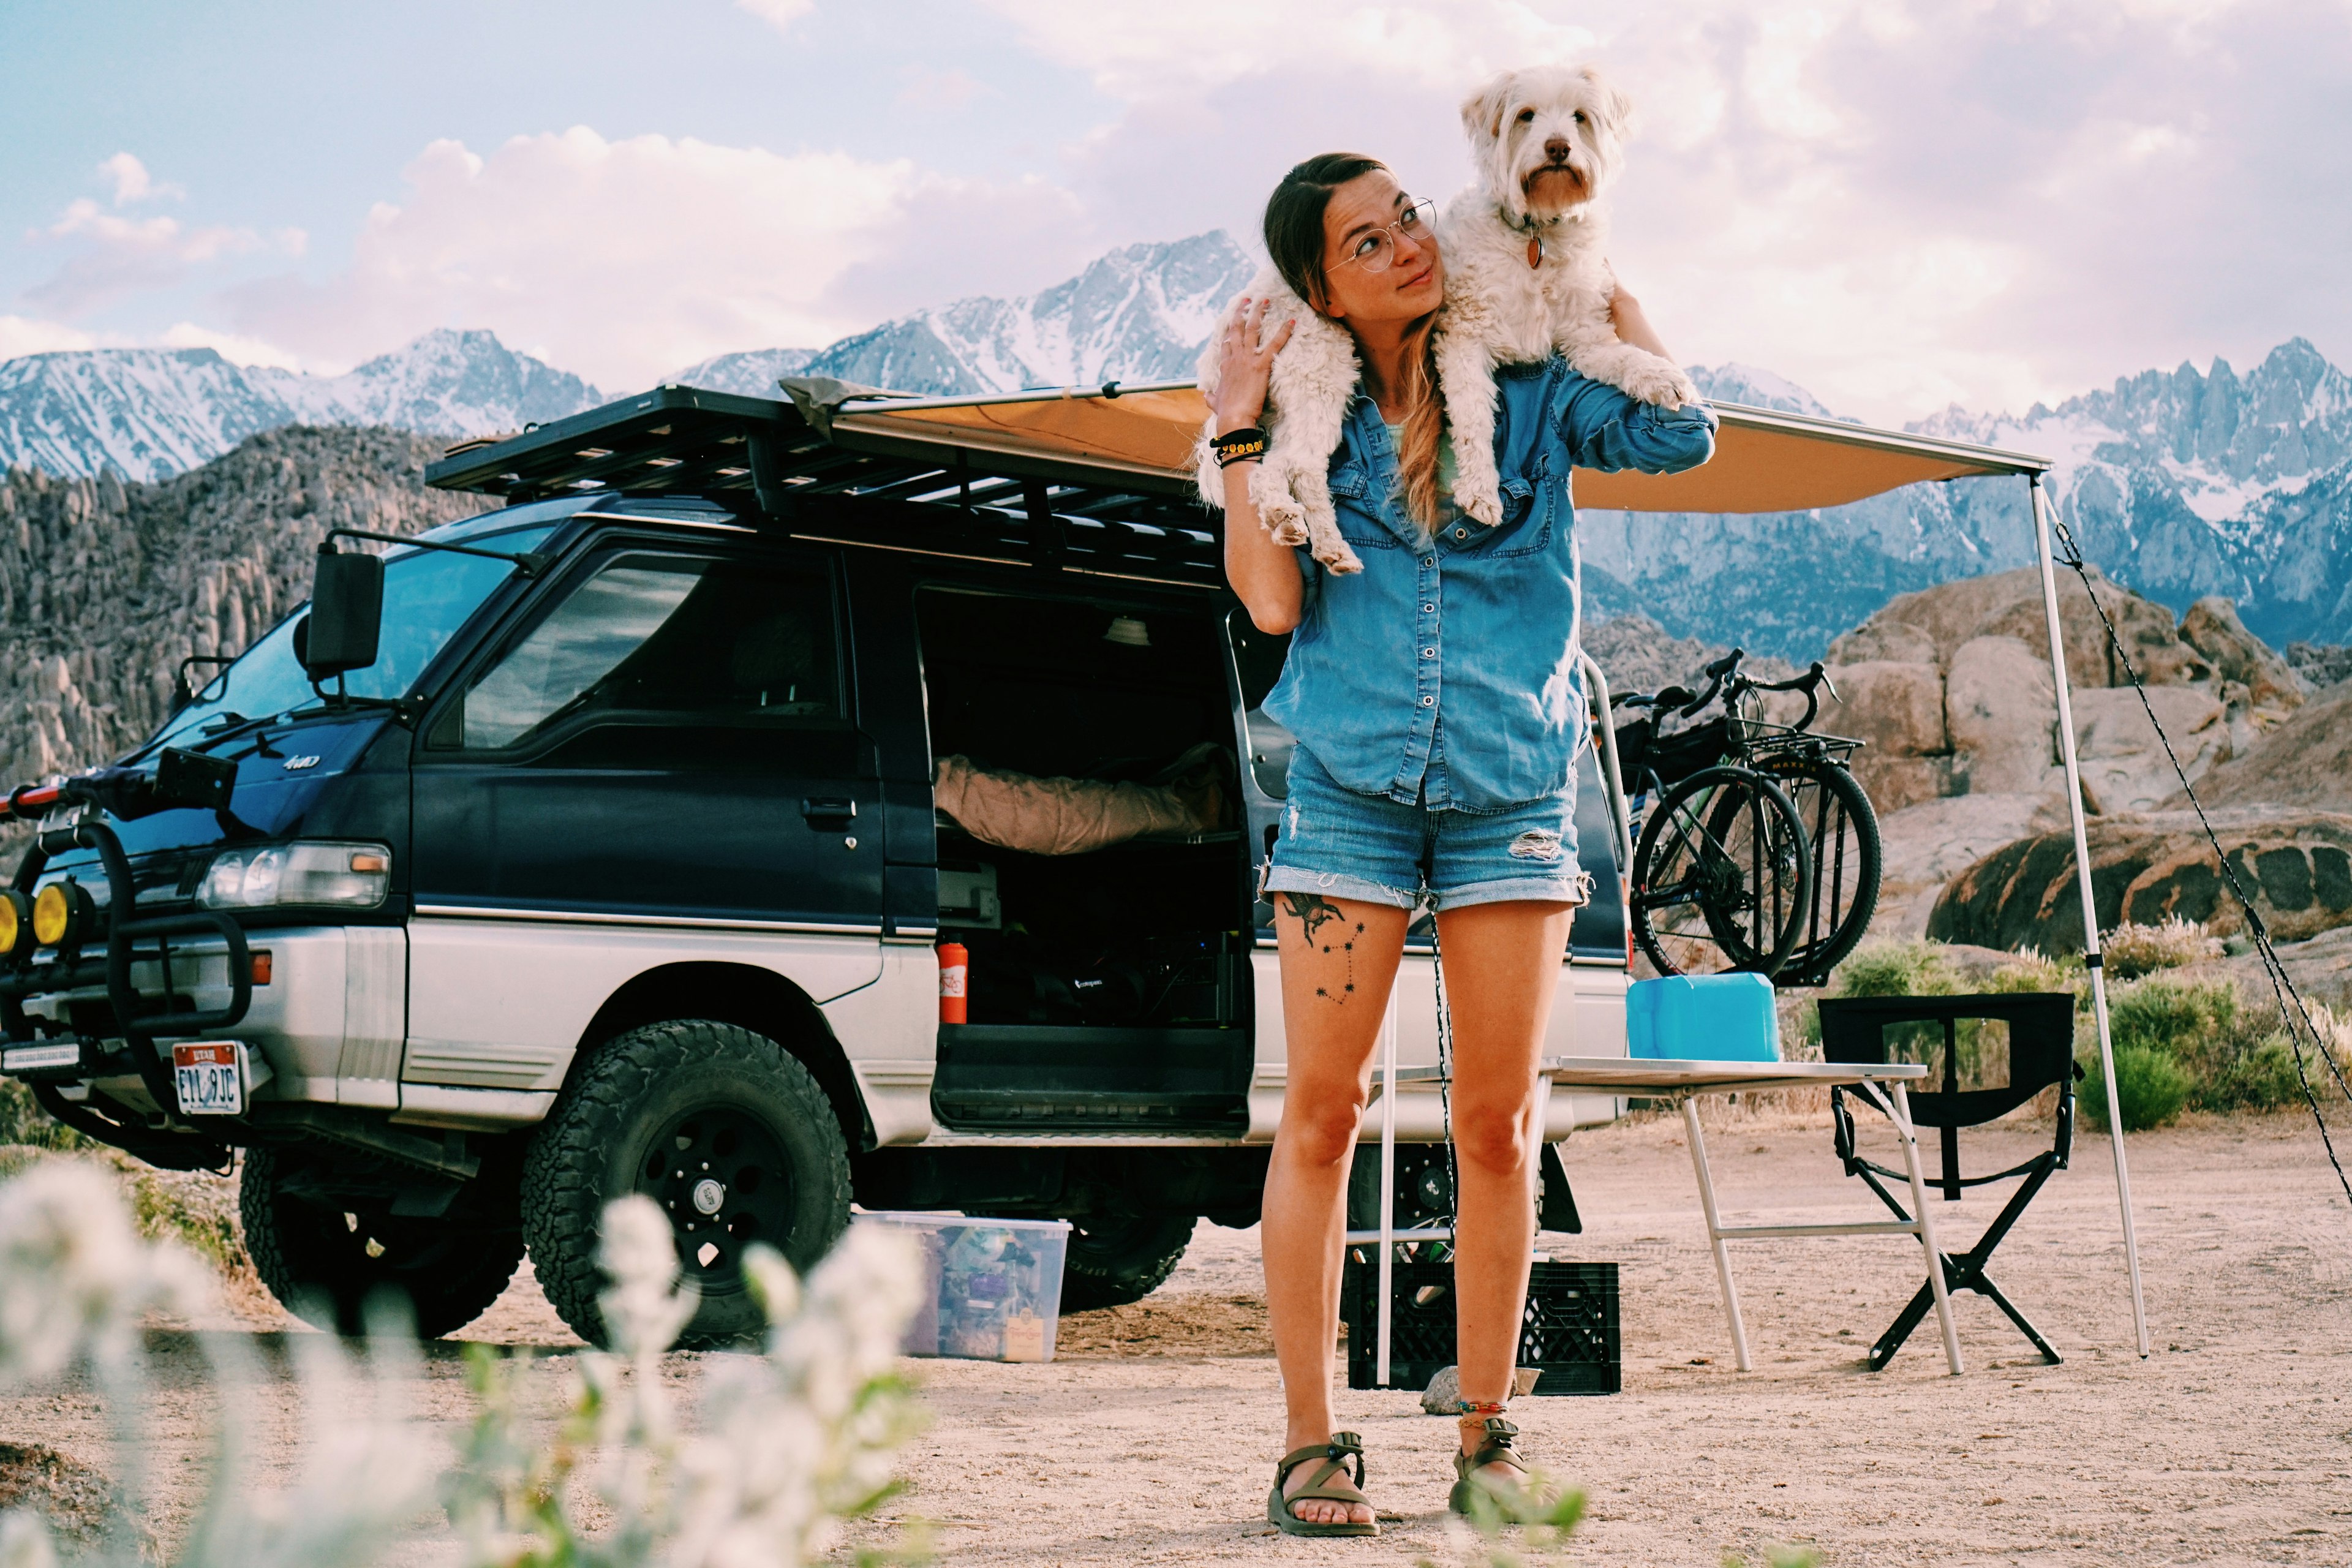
x=2174 y=483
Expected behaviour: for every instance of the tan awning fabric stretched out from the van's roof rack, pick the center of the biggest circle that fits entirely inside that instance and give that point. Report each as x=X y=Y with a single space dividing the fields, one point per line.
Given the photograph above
x=1765 y=462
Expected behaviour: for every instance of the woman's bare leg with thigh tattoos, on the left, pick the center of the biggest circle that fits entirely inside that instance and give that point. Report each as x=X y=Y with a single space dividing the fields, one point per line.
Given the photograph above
x=1339 y=960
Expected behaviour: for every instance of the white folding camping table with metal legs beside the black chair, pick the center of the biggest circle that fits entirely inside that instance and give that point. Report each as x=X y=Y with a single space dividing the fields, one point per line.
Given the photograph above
x=1690 y=1080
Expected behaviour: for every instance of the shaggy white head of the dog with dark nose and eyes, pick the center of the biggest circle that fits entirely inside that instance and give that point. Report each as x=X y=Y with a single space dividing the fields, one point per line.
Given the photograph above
x=1546 y=140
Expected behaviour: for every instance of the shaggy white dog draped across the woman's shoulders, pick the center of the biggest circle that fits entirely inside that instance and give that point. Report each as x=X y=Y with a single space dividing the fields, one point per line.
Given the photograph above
x=1525 y=276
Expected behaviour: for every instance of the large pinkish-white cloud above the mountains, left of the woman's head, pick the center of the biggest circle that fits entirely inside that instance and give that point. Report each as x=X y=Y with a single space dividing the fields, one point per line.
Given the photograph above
x=629 y=260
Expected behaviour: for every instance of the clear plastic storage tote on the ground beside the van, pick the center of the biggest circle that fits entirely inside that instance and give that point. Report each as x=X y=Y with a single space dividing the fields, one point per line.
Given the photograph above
x=991 y=1287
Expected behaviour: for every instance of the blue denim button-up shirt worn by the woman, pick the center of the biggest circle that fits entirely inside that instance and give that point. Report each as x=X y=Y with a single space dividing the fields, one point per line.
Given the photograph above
x=1445 y=671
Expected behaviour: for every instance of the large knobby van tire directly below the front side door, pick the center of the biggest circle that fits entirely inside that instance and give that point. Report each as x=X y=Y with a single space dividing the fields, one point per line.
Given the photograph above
x=747 y=1111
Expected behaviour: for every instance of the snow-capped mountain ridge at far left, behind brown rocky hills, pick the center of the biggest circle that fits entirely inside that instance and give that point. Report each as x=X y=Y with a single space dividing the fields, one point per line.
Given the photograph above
x=154 y=413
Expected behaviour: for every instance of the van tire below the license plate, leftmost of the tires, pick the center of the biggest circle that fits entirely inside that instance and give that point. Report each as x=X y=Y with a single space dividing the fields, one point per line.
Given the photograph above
x=316 y=1259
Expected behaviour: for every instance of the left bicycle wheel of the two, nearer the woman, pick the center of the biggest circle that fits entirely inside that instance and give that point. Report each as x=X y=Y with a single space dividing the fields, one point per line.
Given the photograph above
x=1720 y=878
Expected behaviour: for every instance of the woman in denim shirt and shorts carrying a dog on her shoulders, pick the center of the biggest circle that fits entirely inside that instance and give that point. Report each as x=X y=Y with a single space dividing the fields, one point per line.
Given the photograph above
x=1438 y=716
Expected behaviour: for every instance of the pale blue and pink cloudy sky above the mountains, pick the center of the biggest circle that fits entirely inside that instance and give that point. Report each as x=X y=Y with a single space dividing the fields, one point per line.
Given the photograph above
x=1892 y=203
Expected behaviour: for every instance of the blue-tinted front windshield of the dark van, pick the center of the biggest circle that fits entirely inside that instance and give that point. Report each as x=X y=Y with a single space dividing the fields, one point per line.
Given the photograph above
x=427 y=598
